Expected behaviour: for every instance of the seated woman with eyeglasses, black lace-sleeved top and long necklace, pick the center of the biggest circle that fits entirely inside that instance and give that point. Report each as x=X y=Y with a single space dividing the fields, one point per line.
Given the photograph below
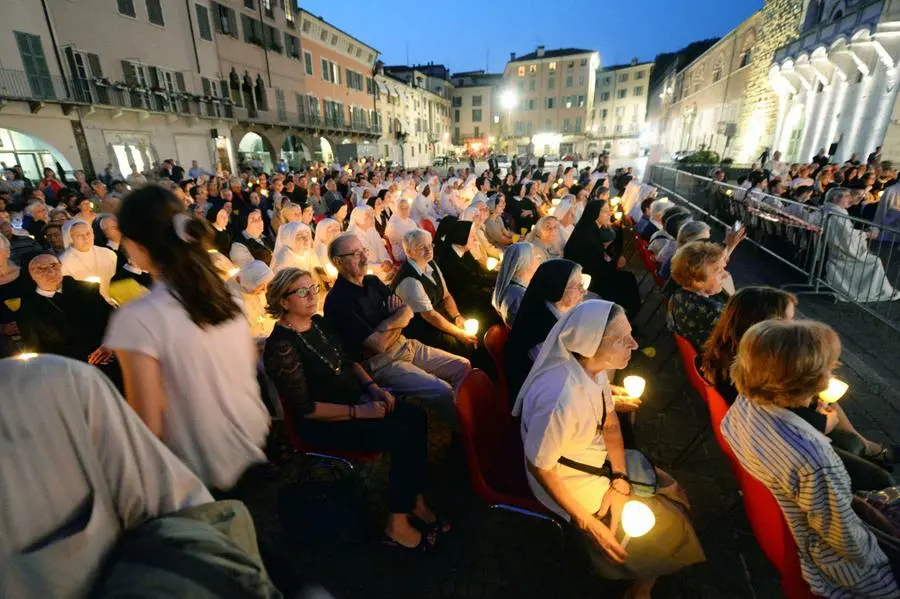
x=335 y=404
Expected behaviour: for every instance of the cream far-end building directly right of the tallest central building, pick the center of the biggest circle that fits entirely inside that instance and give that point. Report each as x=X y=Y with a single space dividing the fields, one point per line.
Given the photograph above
x=620 y=108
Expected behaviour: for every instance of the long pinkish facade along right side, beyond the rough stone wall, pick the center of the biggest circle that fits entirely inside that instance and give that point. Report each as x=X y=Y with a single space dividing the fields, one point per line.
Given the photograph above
x=701 y=104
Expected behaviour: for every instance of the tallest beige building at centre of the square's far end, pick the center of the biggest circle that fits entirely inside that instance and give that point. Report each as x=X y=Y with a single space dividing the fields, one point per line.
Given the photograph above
x=552 y=93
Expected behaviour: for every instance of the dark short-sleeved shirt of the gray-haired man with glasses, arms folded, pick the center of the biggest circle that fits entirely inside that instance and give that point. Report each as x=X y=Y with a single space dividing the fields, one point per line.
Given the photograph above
x=354 y=311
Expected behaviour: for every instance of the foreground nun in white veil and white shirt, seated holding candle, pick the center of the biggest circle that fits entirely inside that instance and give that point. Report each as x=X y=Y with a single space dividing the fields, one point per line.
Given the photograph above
x=568 y=411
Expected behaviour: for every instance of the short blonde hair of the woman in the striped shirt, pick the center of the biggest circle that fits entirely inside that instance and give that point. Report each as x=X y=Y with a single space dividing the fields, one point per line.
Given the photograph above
x=785 y=363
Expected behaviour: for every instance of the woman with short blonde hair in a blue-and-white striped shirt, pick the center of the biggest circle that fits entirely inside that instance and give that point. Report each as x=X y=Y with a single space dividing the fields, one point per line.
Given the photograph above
x=781 y=366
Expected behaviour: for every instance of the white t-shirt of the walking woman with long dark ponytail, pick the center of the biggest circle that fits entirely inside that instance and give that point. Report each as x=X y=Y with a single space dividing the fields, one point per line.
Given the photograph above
x=215 y=420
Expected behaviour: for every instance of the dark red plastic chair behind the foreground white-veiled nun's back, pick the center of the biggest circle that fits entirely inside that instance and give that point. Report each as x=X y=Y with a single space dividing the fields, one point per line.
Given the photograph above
x=493 y=448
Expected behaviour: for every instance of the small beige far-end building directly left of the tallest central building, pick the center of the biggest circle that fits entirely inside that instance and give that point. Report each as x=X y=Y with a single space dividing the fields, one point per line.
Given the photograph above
x=477 y=110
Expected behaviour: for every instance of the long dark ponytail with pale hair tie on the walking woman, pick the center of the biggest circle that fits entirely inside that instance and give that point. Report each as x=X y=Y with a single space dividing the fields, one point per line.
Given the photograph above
x=177 y=243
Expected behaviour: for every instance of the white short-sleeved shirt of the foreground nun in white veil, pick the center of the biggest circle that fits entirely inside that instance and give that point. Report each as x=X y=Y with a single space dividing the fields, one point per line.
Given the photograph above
x=561 y=417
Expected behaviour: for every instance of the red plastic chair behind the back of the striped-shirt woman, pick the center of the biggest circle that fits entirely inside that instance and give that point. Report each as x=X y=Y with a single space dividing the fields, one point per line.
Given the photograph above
x=773 y=535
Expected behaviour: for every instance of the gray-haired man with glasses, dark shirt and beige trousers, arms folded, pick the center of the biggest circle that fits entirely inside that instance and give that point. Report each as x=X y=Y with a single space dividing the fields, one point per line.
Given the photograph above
x=369 y=319
